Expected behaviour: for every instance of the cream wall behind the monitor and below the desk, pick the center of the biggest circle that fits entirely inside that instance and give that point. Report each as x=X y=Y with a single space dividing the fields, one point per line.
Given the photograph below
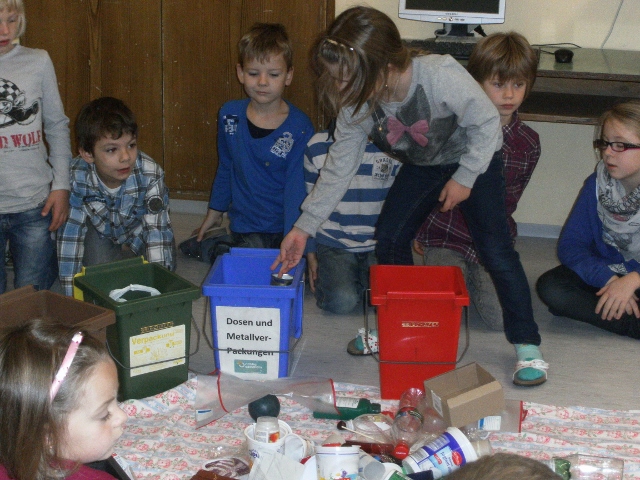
x=567 y=158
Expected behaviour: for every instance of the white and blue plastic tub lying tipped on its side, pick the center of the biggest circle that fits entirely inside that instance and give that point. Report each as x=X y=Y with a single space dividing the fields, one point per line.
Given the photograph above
x=447 y=453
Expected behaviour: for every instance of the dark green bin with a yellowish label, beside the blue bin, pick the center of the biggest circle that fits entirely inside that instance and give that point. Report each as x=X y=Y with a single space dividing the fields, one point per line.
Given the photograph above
x=150 y=338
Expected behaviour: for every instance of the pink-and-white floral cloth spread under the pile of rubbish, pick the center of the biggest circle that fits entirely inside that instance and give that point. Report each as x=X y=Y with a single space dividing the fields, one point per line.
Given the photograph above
x=161 y=441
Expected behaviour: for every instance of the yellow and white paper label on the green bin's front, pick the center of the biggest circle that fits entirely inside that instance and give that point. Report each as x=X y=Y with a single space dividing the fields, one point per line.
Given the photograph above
x=150 y=352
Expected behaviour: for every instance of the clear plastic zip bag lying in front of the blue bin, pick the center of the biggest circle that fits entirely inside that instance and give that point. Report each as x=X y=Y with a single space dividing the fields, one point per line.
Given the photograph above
x=222 y=393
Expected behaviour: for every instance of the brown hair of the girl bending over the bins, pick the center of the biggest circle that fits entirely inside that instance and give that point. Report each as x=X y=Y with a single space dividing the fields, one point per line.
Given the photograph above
x=361 y=43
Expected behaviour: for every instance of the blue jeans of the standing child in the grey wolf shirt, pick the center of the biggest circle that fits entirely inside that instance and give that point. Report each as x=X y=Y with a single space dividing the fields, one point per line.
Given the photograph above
x=32 y=247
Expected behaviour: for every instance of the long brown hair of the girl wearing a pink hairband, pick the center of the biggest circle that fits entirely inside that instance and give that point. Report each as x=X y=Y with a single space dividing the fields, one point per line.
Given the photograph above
x=31 y=426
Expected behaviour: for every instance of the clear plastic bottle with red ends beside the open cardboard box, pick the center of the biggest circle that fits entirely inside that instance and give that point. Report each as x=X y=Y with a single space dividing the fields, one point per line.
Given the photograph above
x=408 y=422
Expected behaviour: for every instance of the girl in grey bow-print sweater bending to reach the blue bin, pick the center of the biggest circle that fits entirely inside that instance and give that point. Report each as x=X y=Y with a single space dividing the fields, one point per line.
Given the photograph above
x=428 y=112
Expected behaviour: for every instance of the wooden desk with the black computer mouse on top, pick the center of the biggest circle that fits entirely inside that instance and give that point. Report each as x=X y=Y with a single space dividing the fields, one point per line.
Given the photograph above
x=578 y=92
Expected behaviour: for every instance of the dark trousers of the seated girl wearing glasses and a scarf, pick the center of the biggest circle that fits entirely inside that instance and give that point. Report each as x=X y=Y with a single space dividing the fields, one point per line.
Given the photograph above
x=567 y=295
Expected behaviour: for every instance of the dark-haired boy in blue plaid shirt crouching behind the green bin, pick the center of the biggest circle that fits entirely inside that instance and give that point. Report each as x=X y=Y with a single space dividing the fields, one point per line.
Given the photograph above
x=119 y=202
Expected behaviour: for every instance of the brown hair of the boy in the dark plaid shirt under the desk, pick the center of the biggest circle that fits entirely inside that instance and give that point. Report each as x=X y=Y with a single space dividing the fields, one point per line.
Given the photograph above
x=507 y=56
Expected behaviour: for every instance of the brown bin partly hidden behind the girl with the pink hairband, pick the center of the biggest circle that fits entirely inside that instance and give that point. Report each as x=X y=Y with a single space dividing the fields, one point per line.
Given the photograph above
x=23 y=304
